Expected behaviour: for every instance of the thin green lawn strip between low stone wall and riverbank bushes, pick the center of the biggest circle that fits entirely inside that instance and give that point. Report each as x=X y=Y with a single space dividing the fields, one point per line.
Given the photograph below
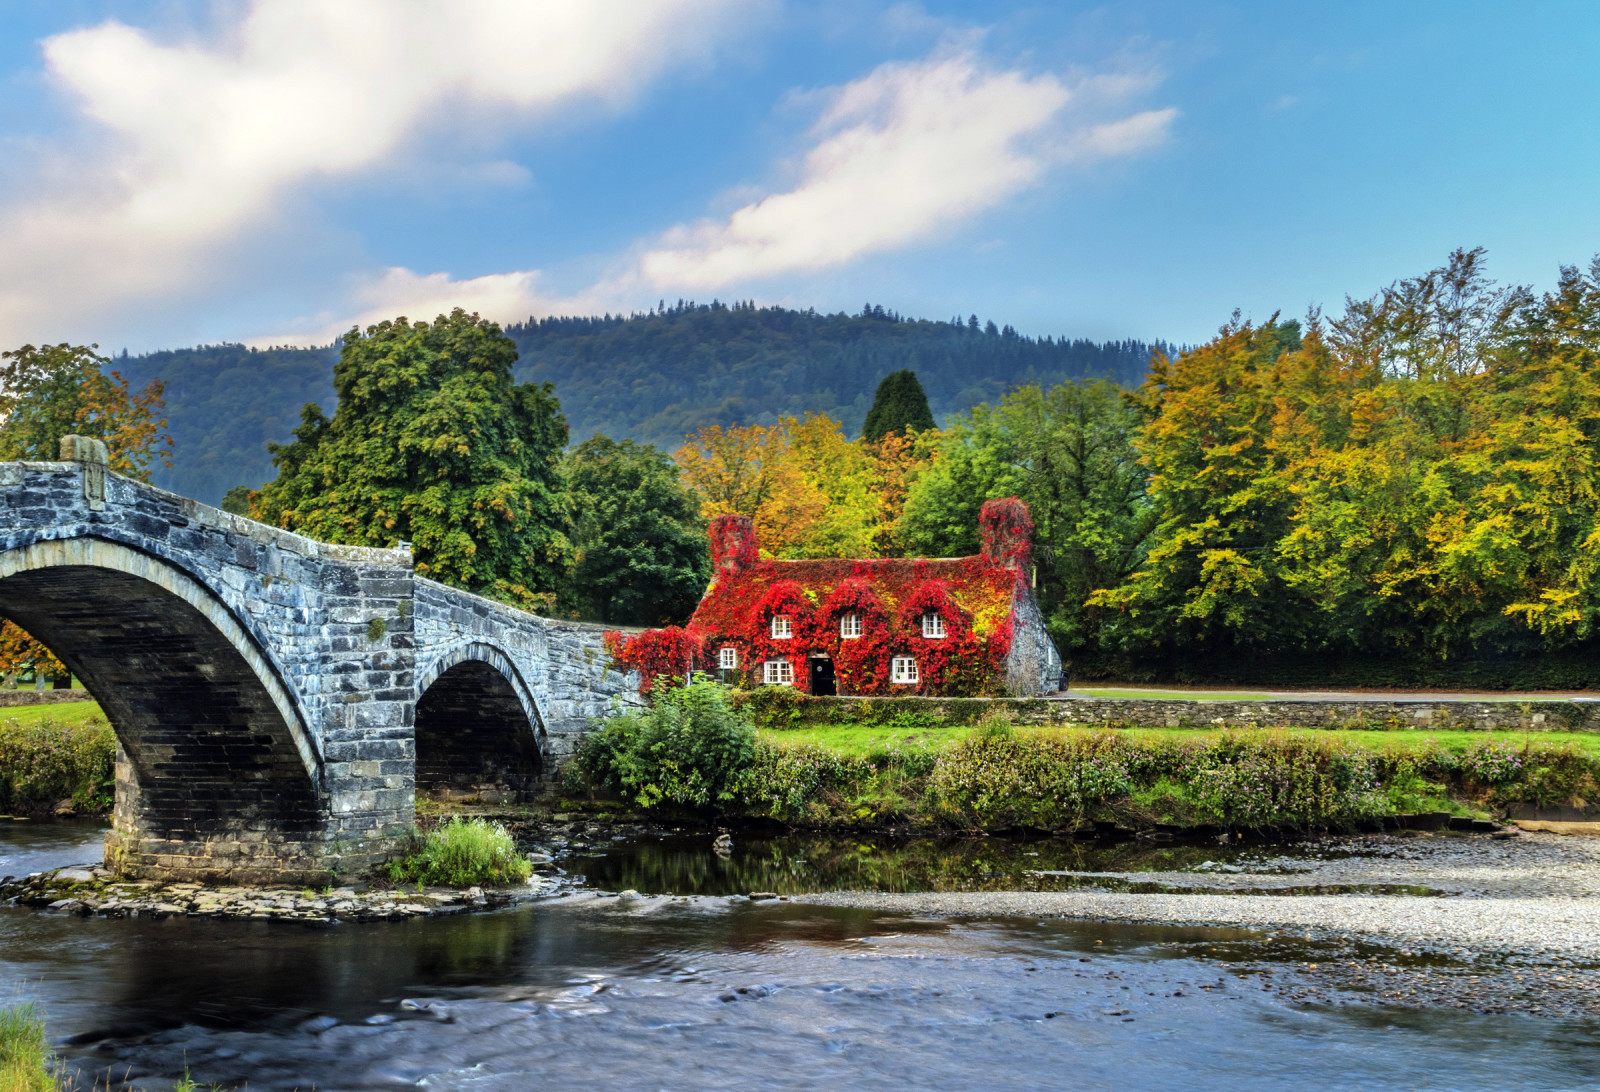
x=860 y=741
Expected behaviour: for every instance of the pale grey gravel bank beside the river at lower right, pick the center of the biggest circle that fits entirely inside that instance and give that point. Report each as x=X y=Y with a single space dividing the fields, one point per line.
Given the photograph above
x=1518 y=929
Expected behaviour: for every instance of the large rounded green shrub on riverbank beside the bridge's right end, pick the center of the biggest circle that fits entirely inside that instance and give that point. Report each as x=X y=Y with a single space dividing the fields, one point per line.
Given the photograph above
x=689 y=749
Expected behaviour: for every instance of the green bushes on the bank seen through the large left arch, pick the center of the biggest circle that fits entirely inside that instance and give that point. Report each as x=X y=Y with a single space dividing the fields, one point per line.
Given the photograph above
x=49 y=761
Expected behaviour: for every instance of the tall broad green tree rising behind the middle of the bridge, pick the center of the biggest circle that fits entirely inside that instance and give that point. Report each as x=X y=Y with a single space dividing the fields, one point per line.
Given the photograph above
x=434 y=444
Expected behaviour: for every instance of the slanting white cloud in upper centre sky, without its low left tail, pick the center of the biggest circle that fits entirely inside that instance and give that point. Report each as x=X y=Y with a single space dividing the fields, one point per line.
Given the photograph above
x=905 y=155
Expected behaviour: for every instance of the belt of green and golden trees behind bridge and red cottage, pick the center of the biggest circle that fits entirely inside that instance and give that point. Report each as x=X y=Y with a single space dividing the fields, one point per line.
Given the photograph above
x=1404 y=494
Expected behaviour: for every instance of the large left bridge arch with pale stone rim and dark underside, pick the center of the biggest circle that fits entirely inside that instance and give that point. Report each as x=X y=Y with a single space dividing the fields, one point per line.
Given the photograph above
x=217 y=769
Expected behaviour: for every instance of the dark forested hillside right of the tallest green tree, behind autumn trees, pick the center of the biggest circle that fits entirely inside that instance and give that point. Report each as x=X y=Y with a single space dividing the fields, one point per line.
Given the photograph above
x=665 y=374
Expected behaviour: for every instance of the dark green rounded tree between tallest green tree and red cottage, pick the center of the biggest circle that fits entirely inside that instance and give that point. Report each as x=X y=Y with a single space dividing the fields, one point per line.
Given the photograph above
x=639 y=537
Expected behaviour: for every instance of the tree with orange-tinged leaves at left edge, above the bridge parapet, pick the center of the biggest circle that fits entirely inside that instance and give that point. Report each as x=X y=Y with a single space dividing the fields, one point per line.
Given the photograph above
x=54 y=391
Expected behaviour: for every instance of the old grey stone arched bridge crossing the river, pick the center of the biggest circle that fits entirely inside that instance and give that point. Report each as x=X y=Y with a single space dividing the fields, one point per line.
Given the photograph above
x=278 y=702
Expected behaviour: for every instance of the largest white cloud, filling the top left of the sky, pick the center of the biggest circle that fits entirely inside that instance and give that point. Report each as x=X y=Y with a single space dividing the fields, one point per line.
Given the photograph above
x=204 y=142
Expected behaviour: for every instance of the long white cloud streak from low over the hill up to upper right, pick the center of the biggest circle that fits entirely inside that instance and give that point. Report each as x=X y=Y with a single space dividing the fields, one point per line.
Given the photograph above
x=897 y=158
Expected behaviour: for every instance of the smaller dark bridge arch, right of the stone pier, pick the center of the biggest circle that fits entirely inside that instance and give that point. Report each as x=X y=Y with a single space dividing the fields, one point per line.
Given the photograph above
x=479 y=729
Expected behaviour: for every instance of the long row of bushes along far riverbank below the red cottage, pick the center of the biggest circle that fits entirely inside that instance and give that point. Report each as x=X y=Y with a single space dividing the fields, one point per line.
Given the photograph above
x=698 y=750
